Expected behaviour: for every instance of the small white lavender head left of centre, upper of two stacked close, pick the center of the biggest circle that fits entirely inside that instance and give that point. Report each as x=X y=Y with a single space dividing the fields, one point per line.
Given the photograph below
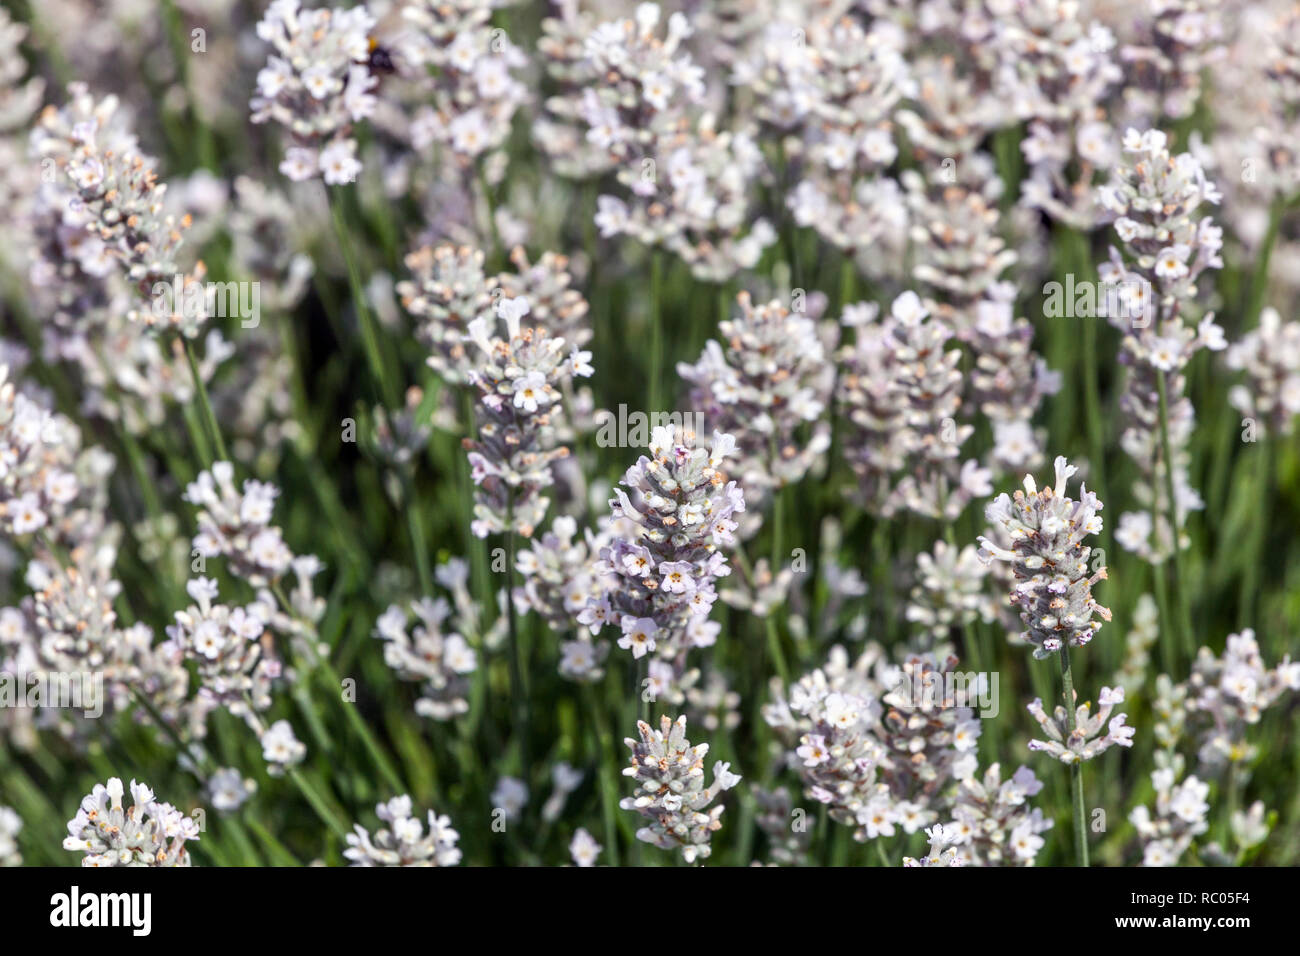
x=236 y=525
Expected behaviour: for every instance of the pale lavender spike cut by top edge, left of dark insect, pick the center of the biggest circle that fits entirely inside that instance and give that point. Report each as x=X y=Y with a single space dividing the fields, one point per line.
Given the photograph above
x=317 y=85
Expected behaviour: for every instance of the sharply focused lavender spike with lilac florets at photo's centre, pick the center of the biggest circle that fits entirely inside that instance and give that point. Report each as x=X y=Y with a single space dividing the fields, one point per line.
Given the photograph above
x=660 y=576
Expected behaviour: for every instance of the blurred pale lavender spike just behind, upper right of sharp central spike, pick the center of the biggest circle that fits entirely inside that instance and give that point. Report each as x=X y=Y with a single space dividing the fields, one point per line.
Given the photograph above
x=768 y=383
